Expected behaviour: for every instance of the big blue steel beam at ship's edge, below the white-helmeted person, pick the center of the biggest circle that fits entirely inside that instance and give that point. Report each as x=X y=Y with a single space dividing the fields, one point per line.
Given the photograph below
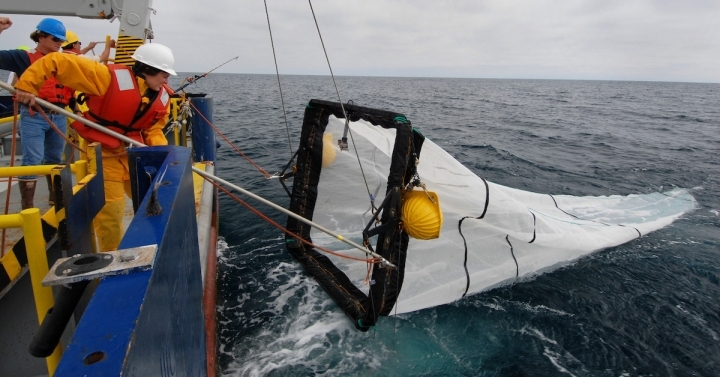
x=149 y=323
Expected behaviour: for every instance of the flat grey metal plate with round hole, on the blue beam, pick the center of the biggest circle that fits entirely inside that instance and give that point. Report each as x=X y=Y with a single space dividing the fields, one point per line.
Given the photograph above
x=82 y=267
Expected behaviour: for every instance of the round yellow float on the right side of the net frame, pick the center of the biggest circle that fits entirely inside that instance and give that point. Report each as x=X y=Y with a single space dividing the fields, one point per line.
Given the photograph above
x=421 y=214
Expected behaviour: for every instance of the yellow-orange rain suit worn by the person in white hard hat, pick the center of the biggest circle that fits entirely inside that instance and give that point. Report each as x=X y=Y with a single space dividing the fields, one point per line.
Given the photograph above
x=93 y=78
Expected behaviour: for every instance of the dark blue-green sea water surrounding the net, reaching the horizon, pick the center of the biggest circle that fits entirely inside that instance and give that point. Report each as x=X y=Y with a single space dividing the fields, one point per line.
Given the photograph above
x=646 y=308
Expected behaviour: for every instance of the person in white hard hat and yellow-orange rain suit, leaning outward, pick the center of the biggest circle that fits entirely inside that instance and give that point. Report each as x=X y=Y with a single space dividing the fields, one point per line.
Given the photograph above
x=133 y=101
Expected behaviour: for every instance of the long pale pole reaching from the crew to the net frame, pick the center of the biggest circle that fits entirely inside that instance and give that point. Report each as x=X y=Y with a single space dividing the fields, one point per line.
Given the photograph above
x=211 y=178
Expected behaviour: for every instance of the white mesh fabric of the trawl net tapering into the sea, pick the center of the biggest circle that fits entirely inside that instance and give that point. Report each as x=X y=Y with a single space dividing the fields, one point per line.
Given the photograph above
x=491 y=234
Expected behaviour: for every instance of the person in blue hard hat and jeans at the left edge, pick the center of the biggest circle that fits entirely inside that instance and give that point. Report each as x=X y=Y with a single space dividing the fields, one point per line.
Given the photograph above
x=41 y=144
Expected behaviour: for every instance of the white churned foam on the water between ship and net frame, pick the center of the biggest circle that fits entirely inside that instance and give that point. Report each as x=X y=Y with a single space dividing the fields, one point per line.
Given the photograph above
x=296 y=340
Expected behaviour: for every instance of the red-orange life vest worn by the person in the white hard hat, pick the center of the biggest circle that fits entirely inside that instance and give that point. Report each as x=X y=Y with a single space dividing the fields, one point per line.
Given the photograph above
x=120 y=109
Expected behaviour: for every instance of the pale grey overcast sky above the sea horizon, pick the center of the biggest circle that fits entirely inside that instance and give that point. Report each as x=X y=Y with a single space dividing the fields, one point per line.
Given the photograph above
x=656 y=40
